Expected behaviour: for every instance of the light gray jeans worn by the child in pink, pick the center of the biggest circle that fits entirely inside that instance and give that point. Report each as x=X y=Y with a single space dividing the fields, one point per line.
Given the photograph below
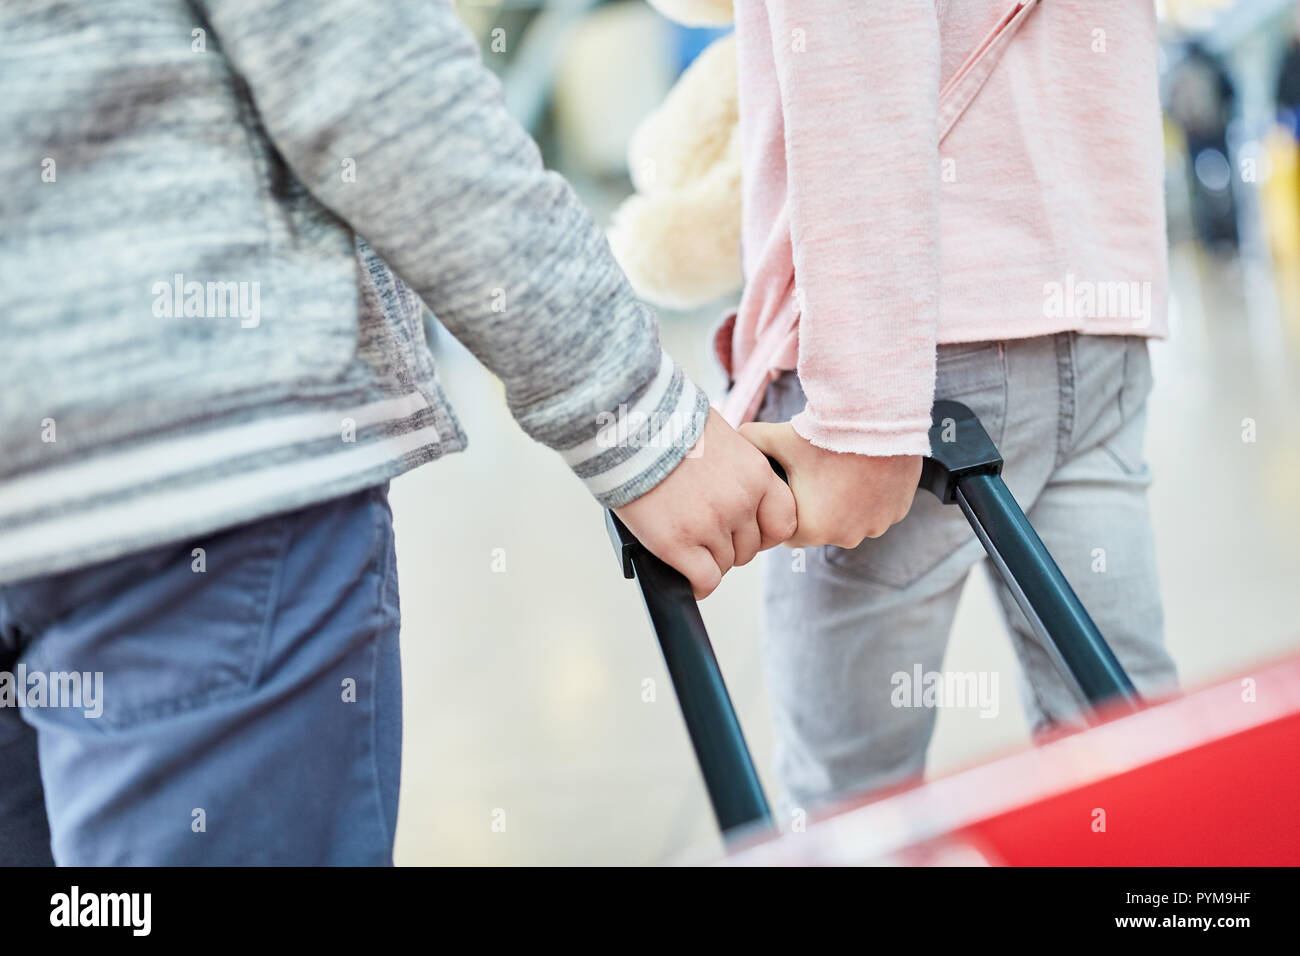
x=1068 y=414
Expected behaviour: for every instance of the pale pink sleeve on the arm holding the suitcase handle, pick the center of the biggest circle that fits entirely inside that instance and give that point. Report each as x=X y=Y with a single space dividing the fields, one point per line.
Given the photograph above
x=860 y=93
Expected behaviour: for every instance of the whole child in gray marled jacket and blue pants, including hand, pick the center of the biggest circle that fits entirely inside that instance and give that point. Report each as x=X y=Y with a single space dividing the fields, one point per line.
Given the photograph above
x=200 y=357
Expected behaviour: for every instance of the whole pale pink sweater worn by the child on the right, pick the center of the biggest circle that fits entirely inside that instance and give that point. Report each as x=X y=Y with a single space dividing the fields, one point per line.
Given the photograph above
x=1041 y=211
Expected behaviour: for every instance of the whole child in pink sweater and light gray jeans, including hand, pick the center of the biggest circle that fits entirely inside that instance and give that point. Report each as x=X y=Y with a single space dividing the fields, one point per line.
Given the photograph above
x=943 y=201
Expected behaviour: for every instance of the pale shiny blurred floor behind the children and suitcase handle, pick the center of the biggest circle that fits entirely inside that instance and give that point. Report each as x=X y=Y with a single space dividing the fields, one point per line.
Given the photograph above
x=528 y=660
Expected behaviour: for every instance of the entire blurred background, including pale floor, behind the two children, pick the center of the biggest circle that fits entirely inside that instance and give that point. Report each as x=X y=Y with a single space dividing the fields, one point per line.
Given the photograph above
x=540 y=724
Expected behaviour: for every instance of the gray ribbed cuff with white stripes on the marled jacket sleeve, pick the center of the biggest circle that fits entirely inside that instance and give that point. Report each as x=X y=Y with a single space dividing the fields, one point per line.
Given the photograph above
x=639 y=444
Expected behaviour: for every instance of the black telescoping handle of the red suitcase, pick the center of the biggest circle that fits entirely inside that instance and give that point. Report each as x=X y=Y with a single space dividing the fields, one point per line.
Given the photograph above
x=964 y=469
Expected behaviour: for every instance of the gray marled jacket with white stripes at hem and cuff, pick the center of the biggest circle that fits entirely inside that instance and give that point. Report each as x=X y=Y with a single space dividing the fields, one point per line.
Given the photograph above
x=192 y=334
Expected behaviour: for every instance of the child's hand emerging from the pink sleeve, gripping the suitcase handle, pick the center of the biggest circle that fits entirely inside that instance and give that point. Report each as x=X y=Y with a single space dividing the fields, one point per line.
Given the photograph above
x=842 y=499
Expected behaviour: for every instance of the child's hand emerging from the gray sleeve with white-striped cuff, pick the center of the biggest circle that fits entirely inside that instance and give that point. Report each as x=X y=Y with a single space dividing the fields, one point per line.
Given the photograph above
x=720 y=508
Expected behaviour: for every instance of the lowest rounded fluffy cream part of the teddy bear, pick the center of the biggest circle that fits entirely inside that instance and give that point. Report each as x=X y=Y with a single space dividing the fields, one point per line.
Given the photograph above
x=681 y=248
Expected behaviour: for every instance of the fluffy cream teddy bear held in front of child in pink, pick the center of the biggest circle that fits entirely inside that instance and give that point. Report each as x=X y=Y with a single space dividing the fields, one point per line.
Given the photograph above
x=678 y=237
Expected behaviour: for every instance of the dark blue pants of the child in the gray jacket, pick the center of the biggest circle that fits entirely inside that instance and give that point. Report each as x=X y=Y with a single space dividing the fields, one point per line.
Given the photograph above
x=252 y=700
